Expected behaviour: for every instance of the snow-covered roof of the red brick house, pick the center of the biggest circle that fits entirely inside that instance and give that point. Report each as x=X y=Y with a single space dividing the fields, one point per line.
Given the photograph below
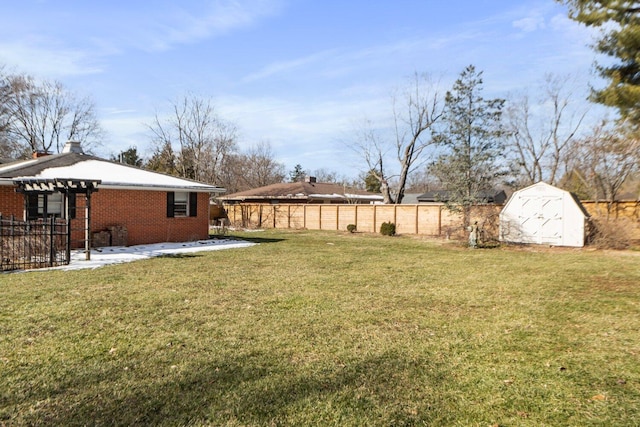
x=74 y=165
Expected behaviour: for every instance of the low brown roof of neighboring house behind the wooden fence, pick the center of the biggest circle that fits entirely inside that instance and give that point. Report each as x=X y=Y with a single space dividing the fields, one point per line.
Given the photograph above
x=304 y=192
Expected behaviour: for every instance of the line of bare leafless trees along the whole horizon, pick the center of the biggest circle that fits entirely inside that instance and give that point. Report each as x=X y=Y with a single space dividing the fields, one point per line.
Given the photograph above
x=546 y=137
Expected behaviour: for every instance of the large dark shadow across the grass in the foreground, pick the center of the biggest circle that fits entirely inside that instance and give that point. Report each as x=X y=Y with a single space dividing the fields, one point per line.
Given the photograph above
x=238 y=389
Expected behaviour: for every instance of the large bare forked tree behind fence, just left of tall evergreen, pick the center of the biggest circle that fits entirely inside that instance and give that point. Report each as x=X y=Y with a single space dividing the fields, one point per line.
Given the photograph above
x=415 y=113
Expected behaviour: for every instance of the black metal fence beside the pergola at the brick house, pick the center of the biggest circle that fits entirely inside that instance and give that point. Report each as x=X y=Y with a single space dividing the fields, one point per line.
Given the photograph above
x=33 y=244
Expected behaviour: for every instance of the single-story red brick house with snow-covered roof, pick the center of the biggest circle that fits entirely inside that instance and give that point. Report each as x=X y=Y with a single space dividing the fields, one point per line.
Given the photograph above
x=125 y=205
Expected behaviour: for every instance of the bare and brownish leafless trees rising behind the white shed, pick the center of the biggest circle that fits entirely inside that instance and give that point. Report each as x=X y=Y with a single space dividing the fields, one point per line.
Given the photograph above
x=594 y=160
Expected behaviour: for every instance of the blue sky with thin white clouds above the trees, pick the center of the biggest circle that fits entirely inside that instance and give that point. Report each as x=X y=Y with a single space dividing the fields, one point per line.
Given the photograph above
x=299 y=74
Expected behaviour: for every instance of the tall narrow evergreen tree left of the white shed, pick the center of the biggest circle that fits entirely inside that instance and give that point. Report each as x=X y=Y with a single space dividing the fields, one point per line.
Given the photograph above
x=472 y=137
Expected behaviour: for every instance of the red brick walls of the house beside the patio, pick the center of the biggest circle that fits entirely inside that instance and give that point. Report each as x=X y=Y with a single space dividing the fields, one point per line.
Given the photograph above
x=143 y=213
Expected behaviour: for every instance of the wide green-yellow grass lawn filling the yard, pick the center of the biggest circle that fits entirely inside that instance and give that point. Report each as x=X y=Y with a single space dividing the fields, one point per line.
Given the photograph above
x=325 y=328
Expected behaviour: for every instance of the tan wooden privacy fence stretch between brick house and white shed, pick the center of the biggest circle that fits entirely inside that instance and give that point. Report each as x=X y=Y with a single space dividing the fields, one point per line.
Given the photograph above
x=423 y=219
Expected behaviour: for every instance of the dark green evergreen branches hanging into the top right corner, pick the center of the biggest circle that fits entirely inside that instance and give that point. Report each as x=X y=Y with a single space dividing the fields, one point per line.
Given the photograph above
x=620 y=24
